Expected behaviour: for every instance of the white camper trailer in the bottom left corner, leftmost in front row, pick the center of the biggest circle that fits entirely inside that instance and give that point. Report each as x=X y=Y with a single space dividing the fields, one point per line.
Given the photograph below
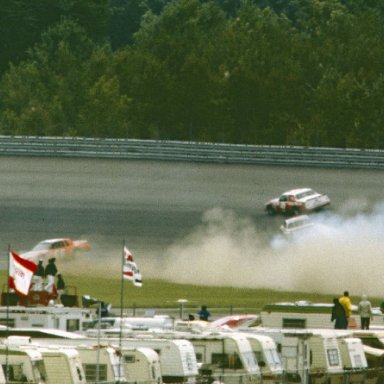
x=21 y=363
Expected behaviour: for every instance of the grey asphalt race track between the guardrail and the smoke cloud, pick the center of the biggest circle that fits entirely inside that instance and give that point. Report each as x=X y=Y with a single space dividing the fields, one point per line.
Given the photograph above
x=150 y=205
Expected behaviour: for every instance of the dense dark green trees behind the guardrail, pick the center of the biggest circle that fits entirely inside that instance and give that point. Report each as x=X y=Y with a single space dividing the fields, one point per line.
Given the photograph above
x=279 y=72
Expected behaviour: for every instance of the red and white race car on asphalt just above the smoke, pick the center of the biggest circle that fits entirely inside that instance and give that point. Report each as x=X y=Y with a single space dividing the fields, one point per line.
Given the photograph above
x=297 y=201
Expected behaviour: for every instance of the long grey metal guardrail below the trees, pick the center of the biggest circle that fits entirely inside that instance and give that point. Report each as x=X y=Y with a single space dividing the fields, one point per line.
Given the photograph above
x=190 y=151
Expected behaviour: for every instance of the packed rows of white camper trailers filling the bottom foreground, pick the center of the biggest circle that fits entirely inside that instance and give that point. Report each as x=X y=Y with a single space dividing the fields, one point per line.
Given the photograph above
x=57 y=345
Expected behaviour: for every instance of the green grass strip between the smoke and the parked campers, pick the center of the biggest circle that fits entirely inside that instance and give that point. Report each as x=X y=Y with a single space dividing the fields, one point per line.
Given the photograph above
x=164 y=294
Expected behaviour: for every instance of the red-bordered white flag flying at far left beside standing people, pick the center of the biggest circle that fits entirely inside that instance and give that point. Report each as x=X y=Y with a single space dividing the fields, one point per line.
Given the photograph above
x=20 y=273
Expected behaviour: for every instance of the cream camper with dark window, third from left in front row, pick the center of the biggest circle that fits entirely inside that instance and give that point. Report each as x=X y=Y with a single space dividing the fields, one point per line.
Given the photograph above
x=101 y=364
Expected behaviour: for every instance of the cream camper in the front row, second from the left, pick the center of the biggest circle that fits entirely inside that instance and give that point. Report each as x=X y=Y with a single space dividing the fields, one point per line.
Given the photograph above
x=62 y=365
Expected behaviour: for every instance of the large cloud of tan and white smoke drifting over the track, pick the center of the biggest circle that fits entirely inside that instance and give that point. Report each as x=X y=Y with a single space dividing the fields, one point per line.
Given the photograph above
x=338 y=253
